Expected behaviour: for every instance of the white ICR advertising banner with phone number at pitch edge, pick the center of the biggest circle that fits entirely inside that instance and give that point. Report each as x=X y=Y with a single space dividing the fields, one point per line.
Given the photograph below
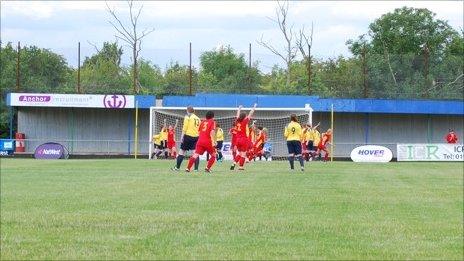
x=430 y=152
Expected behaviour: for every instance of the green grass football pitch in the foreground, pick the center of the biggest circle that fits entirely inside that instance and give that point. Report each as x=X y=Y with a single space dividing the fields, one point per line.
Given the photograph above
x=139 y=209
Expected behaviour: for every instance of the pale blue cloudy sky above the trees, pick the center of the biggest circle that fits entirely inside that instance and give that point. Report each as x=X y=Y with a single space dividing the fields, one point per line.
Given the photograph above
x=59 y=25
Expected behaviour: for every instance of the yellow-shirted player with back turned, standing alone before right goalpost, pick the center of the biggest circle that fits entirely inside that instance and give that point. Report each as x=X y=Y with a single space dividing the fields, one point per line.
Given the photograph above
x=293 y=135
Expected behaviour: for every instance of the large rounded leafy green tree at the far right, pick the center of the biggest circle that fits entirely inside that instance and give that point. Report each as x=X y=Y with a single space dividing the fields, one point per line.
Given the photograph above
x=407 y=52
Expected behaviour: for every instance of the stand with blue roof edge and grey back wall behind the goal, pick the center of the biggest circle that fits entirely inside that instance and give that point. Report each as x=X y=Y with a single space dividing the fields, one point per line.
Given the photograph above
x=357 y=122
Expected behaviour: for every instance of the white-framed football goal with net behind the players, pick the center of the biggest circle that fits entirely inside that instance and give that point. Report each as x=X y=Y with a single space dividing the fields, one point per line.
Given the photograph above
x=274 y=119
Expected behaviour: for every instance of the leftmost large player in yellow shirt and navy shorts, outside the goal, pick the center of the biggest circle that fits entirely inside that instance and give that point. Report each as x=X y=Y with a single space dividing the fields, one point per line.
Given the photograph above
x=189 y=137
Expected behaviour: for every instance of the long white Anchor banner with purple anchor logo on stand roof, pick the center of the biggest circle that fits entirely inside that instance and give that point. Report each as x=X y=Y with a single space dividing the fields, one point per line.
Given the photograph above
x=110 y=101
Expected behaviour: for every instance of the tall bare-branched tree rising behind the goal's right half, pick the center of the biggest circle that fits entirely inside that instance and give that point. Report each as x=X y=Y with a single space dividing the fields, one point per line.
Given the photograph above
x=290 y=51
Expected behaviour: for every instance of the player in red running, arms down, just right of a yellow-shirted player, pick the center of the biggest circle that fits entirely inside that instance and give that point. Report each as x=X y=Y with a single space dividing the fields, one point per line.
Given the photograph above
x=206 y=142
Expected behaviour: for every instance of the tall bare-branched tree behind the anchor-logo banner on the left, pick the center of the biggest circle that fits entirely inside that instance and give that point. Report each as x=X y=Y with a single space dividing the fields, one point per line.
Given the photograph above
x=133 y=37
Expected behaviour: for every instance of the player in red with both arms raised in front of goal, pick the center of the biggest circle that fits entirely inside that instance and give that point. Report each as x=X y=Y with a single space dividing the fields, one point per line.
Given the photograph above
x=241 y=125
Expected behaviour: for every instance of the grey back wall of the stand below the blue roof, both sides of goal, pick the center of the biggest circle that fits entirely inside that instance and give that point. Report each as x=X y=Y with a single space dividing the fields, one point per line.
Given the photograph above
x=102 y=131
